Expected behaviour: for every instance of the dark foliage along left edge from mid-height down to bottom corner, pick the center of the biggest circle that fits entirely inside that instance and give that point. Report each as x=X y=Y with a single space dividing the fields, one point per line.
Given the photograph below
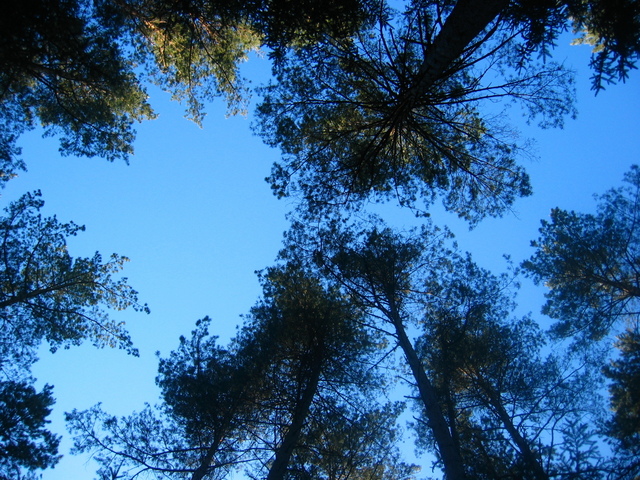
x=47 y=295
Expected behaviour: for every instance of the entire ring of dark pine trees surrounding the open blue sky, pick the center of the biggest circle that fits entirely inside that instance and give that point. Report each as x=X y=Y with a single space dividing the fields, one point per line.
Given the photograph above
x=368 y=102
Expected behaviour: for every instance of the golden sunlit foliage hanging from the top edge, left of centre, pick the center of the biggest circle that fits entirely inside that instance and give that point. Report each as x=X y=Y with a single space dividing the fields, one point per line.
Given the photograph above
x=187 y=48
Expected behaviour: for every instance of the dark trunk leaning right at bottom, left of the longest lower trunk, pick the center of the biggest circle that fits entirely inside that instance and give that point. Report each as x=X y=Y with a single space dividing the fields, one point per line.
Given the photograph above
x=285 y=450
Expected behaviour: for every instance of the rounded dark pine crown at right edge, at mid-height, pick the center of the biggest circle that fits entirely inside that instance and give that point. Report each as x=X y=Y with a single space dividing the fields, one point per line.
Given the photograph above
x=590 y=262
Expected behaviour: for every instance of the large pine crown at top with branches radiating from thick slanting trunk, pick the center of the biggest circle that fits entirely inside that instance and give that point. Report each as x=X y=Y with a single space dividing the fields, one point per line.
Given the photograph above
x=408 y=108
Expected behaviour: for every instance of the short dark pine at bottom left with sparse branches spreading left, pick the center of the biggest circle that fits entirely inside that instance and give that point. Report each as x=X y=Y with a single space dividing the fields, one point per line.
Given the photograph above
x=203 y=427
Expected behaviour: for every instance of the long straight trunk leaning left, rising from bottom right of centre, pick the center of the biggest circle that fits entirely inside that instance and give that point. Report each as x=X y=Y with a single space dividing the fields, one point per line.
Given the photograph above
x=450 y=454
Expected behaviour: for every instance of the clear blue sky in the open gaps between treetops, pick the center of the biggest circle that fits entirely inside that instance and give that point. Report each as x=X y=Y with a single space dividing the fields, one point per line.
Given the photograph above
x=195 y=216
